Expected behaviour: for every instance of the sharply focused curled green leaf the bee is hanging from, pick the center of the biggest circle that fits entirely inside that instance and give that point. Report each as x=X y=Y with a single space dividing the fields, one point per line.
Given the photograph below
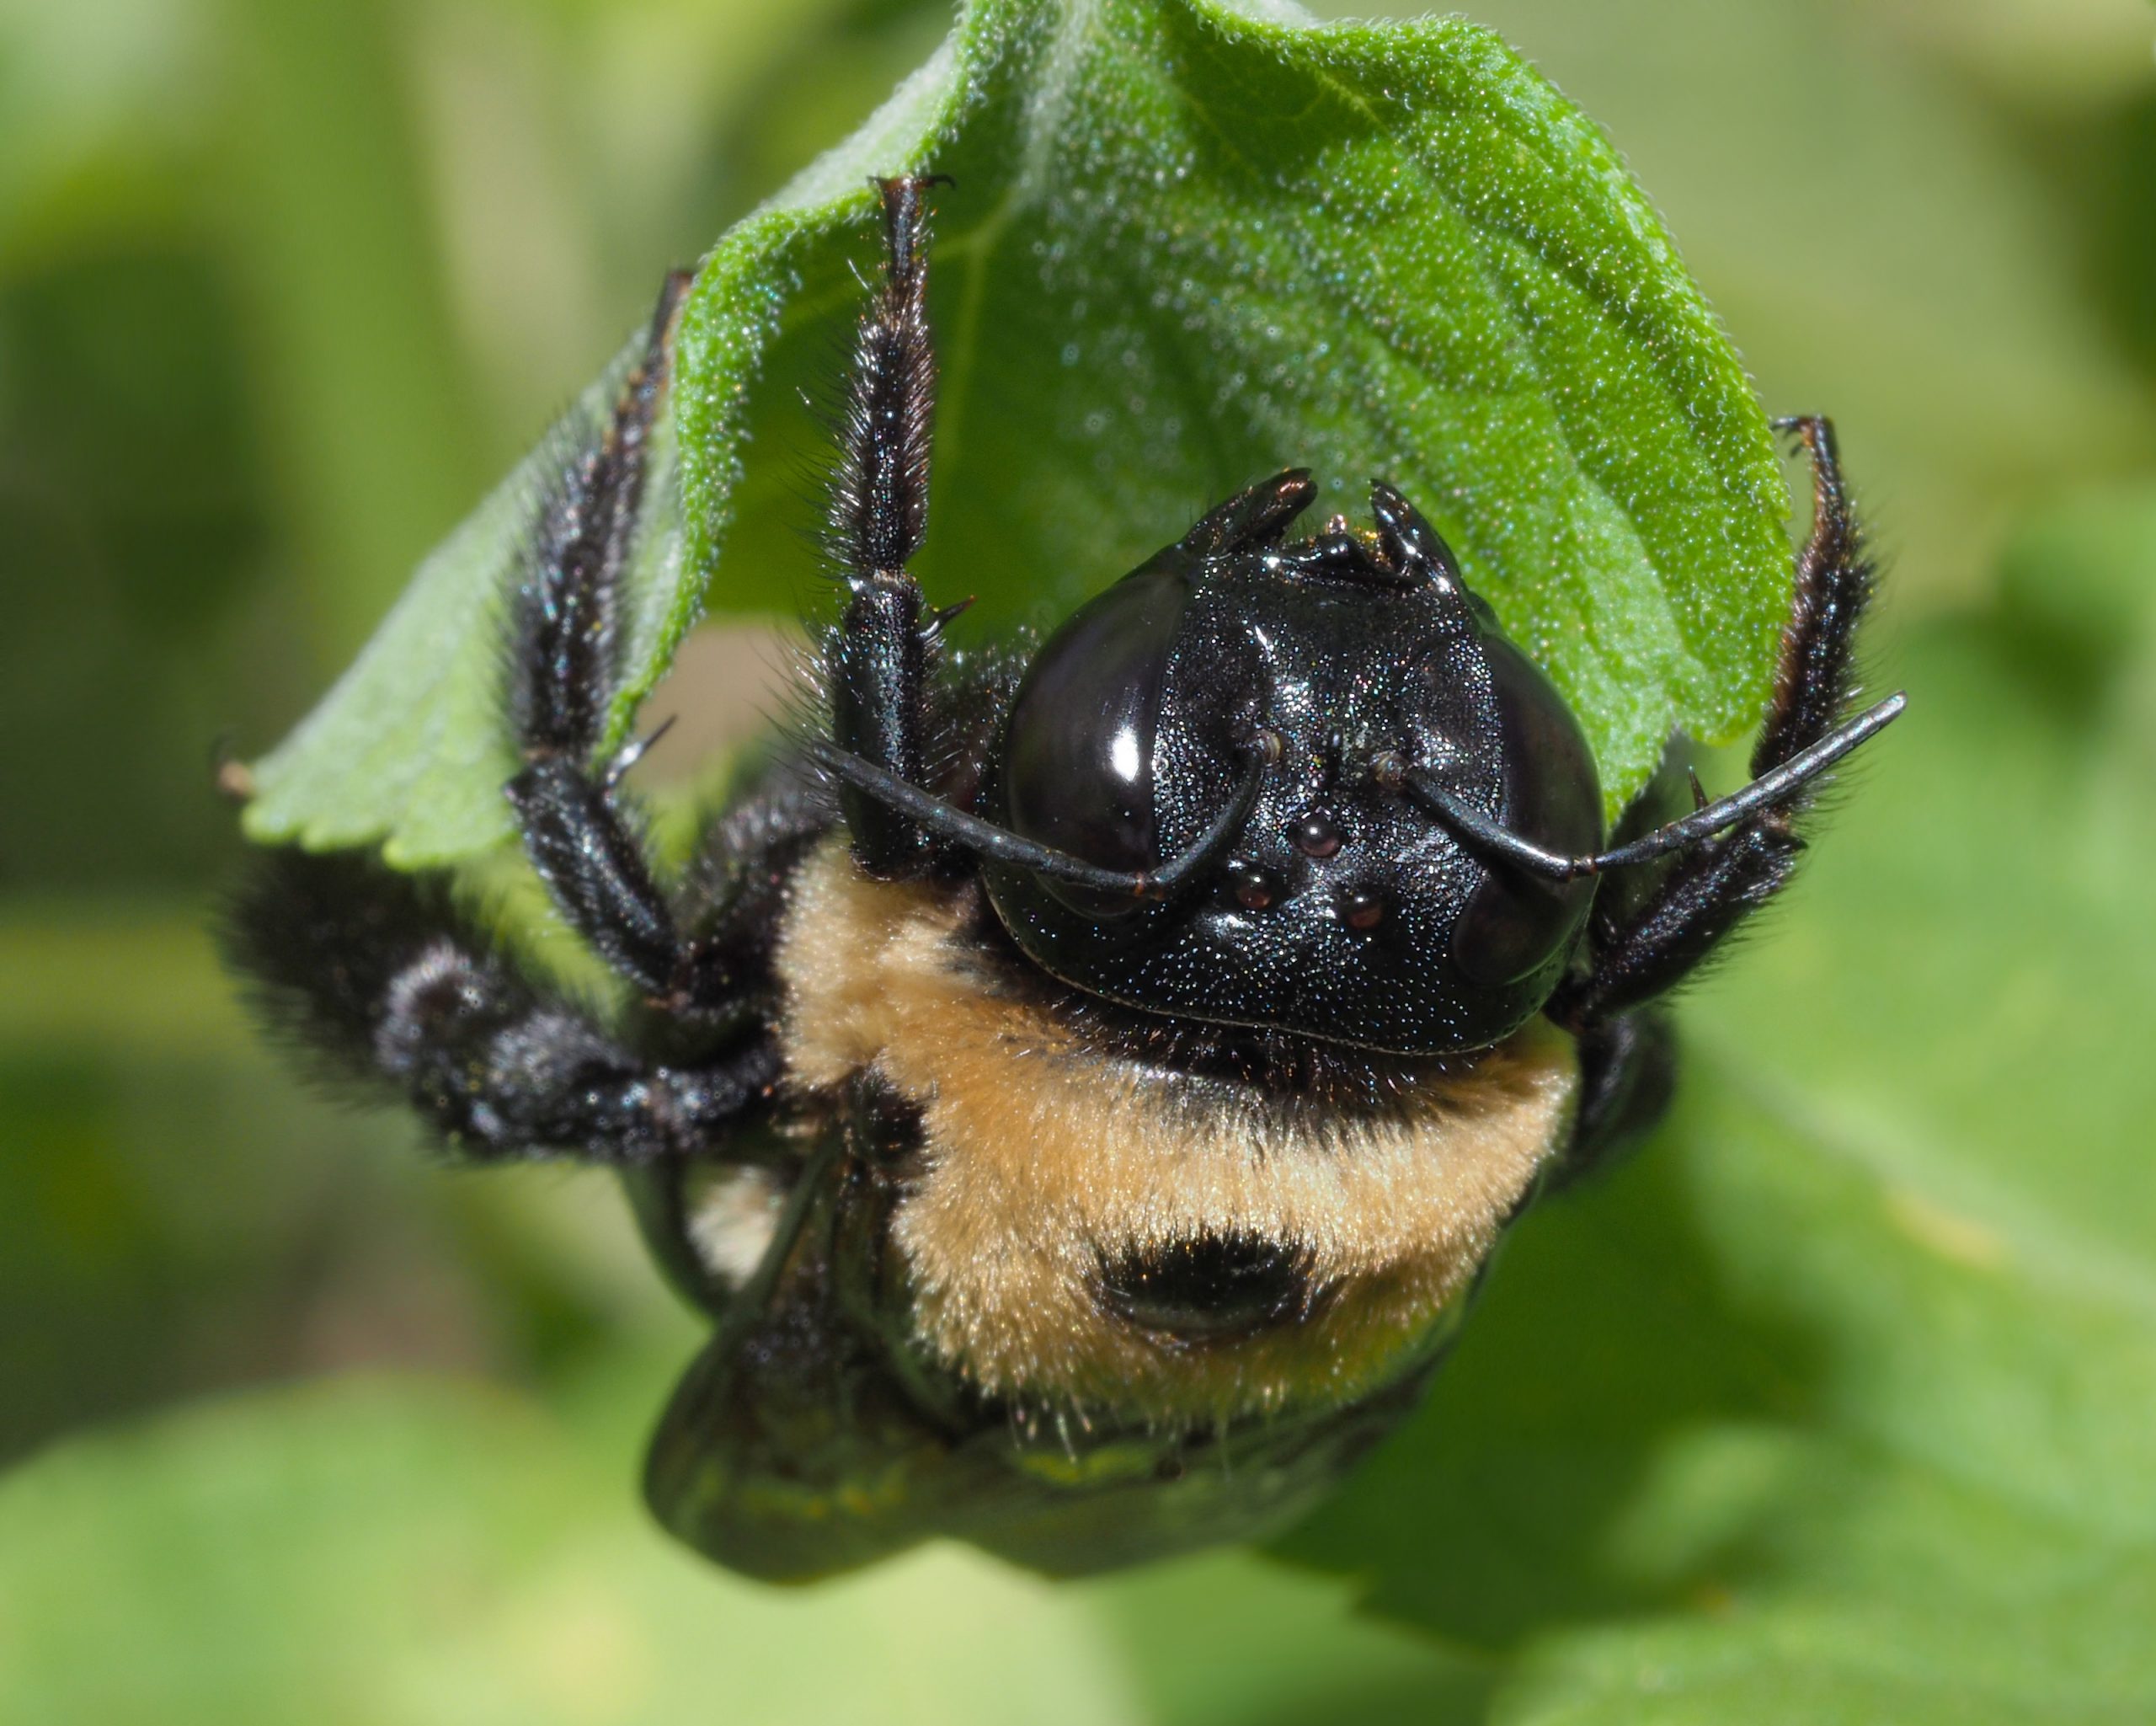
x=1187 y=247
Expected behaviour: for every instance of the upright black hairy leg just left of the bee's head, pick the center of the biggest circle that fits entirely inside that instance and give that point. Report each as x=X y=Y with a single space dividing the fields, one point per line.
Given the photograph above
x=881 y=659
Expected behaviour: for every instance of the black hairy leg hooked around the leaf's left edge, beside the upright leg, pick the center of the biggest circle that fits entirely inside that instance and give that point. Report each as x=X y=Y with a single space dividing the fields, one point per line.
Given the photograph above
x=564 y=672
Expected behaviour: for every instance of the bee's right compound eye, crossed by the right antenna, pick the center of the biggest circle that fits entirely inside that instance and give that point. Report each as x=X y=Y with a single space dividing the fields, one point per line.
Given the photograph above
x=1551 y=795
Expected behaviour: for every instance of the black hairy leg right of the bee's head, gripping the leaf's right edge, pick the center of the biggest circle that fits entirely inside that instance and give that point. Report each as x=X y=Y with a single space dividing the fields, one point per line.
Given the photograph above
x=1642 y=946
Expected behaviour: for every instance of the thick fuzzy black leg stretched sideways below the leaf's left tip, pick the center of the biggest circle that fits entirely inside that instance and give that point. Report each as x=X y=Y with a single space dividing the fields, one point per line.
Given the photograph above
x=381 y=981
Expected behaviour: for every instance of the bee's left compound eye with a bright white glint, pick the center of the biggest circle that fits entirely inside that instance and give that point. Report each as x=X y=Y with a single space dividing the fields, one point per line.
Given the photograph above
x=1079 y=743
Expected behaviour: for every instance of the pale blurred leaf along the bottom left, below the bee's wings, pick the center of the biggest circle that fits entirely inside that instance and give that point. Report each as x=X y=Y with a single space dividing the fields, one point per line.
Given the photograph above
x=409 y=1552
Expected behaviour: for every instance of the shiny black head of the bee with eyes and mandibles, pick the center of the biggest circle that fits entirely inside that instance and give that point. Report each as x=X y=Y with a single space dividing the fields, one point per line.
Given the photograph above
x=1338 y=666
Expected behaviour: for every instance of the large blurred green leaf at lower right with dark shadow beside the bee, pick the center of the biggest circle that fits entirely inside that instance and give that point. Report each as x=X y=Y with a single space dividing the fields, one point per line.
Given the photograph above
x=1838 y=1401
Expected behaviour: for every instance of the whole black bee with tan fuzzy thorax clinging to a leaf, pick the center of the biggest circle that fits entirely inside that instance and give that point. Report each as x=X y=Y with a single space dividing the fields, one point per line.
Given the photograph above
x=1081 y=1088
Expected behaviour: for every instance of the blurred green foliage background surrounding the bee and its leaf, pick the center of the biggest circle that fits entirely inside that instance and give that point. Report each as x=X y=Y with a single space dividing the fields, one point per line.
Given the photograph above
x=329 y=1432
